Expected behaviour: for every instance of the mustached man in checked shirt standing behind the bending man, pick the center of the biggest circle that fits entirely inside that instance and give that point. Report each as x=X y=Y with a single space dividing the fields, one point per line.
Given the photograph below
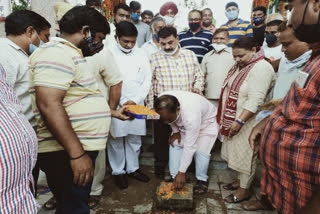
x=173 y=68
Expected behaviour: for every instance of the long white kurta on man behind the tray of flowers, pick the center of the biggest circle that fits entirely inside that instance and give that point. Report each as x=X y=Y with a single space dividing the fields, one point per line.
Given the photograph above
x=136 y=71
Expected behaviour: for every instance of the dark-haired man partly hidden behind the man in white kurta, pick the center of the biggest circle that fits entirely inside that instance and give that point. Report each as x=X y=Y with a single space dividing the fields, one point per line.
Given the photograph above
x=121 y=13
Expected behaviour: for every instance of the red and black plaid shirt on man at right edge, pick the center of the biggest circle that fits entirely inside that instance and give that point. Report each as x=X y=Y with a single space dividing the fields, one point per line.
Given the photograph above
x=290 y=145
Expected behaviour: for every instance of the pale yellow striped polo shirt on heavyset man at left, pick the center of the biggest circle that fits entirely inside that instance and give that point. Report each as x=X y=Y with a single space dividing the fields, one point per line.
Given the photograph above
x=59 y=64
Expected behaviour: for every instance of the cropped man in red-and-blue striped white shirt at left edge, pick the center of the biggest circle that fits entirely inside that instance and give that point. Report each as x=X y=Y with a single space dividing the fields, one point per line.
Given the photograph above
x=18 y=153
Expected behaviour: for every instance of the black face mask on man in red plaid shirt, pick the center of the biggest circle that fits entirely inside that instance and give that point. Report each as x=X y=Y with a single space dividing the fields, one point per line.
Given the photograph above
x=308 y=33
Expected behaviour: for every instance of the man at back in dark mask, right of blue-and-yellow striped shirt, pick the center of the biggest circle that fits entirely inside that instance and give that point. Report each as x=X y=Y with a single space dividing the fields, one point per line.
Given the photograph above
x=258 y=20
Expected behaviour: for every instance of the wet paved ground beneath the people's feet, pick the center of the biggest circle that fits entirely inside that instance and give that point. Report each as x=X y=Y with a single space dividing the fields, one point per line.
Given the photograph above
x=141 y=198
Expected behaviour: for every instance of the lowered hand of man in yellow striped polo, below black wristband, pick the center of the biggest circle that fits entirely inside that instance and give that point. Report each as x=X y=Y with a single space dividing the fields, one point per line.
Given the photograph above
x=82 y=169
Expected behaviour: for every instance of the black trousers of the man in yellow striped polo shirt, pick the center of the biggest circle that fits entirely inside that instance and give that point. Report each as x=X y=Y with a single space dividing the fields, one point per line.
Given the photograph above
x=71 y=198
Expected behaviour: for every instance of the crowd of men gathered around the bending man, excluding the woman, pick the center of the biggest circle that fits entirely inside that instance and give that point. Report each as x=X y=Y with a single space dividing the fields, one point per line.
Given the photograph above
x=63 y=101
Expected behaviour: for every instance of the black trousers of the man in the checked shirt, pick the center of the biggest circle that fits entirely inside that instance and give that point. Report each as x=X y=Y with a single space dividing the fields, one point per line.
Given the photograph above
x=162 y=133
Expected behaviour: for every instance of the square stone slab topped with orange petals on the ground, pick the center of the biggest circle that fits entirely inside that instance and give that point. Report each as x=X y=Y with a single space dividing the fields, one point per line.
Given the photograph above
x=168 y=200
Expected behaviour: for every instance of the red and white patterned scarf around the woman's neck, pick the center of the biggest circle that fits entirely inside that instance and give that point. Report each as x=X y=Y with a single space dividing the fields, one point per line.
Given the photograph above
x=228 y=116
